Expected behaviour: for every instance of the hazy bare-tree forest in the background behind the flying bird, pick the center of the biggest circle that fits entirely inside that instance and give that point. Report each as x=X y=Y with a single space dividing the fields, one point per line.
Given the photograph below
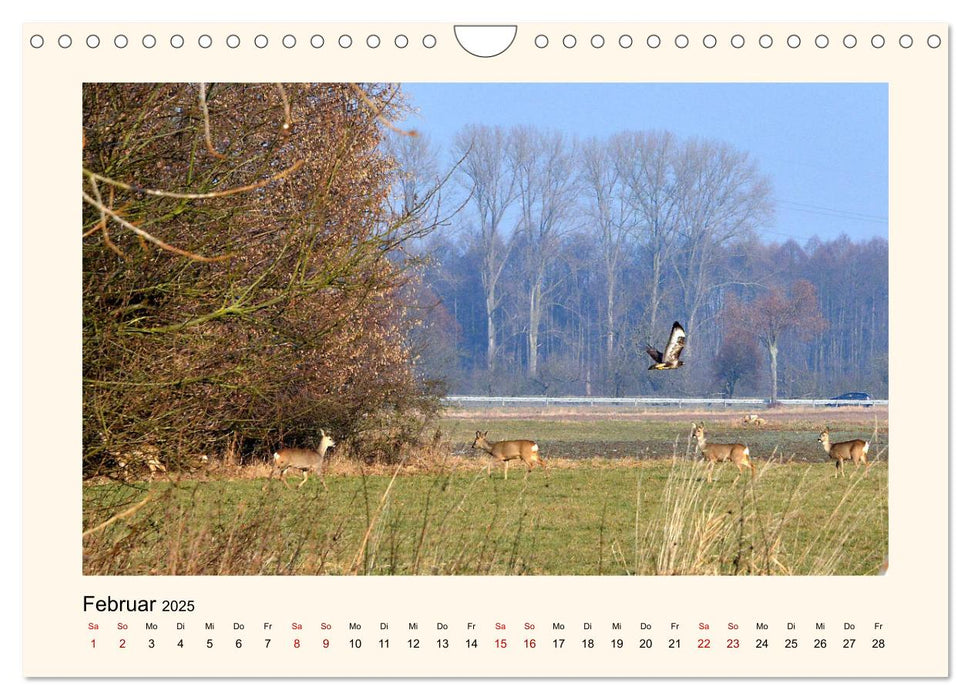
x=550 y=263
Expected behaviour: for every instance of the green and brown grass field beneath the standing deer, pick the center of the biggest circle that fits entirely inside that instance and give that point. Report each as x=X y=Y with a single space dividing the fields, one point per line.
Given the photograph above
x=624 y=496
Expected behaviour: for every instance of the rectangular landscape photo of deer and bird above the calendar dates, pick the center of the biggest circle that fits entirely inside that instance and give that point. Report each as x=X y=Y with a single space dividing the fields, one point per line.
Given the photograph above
x=485 y=329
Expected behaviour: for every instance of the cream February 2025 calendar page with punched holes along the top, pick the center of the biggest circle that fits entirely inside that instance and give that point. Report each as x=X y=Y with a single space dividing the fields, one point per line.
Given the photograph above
x=527 y=350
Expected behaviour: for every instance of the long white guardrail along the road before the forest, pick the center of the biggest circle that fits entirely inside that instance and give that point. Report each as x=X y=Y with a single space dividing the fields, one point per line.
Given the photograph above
x=650 y=401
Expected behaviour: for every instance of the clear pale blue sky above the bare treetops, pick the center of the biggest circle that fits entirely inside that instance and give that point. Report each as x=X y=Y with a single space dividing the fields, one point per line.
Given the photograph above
x=824 y=146
